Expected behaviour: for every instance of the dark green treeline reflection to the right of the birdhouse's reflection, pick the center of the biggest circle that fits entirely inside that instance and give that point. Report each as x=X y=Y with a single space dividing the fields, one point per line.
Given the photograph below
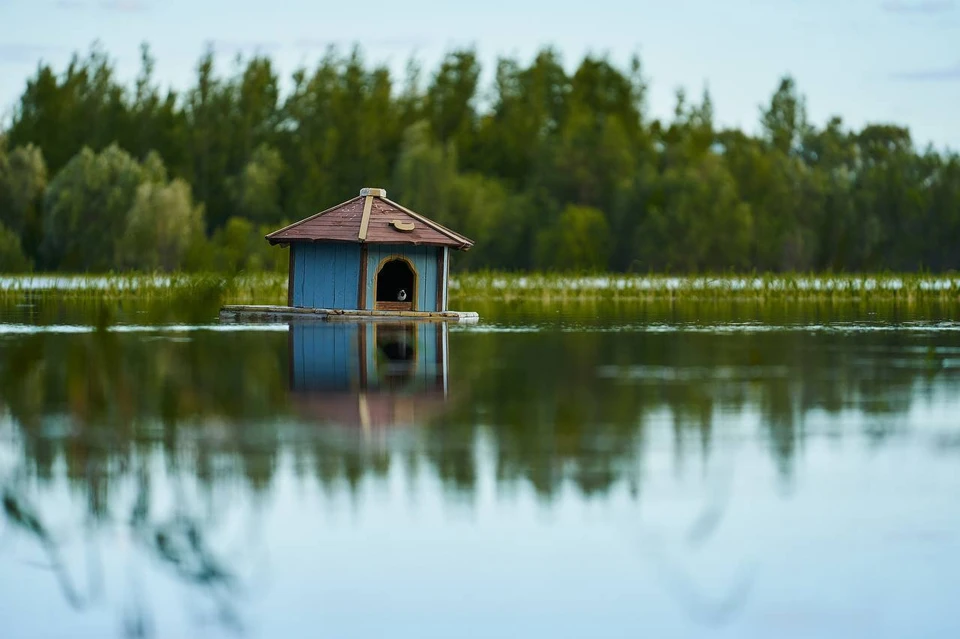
x=580 y=406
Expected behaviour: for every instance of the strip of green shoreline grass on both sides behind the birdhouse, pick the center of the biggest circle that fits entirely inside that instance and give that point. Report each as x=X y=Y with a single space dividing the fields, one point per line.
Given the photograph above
x=271 y=288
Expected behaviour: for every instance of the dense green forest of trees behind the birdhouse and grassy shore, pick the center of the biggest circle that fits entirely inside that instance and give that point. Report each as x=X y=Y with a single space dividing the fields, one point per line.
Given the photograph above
x=544 y=169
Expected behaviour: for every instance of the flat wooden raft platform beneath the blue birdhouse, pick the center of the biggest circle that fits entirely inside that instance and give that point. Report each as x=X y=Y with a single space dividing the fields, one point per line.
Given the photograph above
x=261 y=313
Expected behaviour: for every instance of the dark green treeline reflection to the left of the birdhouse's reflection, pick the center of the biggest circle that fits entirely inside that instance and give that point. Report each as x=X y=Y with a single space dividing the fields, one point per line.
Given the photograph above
x=98 y=399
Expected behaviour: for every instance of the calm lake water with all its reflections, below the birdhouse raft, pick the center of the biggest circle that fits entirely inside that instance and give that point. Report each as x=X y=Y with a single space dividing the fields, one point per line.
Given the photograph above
x=714 y=470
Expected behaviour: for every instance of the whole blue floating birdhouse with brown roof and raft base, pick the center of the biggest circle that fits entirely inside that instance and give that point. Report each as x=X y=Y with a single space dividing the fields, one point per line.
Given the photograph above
x=367 y=257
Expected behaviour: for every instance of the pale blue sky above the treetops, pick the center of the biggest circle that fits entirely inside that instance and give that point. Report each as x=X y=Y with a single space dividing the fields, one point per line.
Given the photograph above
x=865 y=60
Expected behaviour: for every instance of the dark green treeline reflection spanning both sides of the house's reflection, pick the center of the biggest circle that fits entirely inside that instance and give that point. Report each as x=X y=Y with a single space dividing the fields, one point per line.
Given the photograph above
x=576 y=407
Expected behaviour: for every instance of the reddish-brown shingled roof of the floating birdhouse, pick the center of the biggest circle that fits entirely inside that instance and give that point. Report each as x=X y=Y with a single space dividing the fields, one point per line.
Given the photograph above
x=370 y=217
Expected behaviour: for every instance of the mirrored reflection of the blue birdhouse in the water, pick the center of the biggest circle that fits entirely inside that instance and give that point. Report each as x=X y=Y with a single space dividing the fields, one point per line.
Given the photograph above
x=373 y=375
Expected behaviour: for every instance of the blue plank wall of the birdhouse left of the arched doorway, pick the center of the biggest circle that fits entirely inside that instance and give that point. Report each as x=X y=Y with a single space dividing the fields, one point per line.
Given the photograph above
x=326 y=274
